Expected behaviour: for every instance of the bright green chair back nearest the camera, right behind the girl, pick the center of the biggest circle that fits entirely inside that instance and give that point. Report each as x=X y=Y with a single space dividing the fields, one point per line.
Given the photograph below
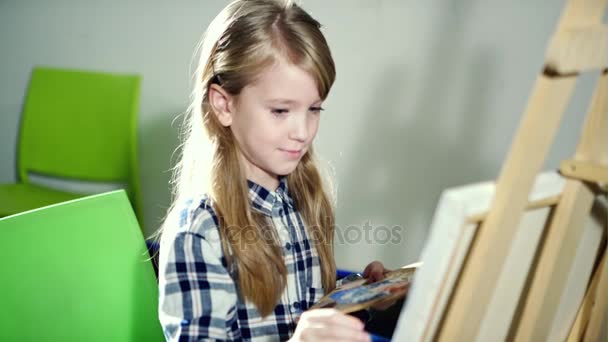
x=77 y=271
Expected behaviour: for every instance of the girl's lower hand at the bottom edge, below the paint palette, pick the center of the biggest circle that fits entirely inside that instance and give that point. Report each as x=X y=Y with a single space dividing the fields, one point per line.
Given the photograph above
x=329 y=325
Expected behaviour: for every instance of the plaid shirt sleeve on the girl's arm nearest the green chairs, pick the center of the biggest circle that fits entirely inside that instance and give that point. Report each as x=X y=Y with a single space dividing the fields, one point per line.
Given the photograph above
x=197 y=296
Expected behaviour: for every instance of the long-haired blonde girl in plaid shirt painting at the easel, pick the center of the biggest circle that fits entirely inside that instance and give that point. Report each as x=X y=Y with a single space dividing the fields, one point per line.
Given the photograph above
x=246 y=246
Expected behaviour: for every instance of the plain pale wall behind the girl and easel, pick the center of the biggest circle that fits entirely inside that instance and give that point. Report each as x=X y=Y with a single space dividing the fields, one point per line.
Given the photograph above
x=428 y=94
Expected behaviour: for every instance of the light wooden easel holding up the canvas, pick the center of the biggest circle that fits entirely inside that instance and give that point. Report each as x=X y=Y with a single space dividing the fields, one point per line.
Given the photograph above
x=579 y=44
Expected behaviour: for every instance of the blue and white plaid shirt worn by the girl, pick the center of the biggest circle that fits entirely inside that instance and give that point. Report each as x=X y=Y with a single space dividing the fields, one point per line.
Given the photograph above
x=198 y=296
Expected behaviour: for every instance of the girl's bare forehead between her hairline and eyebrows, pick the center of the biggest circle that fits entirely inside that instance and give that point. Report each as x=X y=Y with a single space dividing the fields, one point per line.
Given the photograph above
x=284 y=81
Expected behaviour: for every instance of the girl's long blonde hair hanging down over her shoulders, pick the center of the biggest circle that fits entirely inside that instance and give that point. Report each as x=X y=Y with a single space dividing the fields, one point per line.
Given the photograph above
x=244 y=39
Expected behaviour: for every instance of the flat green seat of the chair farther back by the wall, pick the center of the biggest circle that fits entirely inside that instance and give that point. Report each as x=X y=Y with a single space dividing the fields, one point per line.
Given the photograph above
x=17 y=198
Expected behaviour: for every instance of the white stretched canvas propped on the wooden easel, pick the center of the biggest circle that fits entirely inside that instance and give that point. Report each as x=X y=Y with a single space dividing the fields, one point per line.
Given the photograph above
x=449 y=240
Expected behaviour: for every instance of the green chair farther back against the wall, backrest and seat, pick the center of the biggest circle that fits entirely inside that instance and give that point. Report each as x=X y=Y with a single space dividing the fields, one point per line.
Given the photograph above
x=75 y=126
